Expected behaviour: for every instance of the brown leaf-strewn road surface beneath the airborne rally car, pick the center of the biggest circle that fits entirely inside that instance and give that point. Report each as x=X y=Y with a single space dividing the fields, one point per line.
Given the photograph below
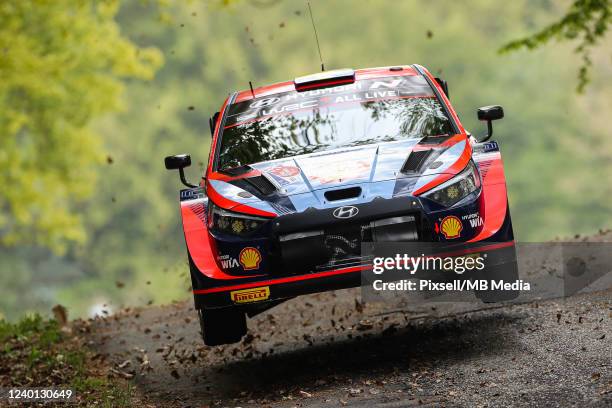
x=330 y=350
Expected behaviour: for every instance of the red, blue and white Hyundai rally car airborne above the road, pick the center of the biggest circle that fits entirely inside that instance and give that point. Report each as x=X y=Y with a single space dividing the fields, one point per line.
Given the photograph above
x=301 y=173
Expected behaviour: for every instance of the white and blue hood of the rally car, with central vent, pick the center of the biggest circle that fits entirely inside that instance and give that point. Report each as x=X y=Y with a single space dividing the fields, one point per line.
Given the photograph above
x=378 y=170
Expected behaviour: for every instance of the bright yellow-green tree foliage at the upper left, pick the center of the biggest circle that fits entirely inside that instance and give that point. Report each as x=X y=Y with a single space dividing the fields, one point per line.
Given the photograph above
x=60 y=64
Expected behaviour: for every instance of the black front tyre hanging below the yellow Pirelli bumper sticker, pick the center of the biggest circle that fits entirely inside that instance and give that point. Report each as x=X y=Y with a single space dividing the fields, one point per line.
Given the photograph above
x=222 y=326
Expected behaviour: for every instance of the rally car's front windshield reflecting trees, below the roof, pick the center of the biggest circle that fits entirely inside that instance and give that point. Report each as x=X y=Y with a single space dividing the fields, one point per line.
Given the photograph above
x=365 y=112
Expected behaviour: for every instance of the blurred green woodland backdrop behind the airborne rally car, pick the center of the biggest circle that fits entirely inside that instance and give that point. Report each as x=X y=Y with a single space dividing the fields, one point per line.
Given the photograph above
x=125 y=246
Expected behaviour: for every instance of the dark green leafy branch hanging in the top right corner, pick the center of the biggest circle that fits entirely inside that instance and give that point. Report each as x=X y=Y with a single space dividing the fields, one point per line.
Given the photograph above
x=586 y=20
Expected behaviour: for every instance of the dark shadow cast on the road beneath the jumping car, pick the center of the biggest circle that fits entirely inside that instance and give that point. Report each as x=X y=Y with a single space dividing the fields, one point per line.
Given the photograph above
x=417 y=346
